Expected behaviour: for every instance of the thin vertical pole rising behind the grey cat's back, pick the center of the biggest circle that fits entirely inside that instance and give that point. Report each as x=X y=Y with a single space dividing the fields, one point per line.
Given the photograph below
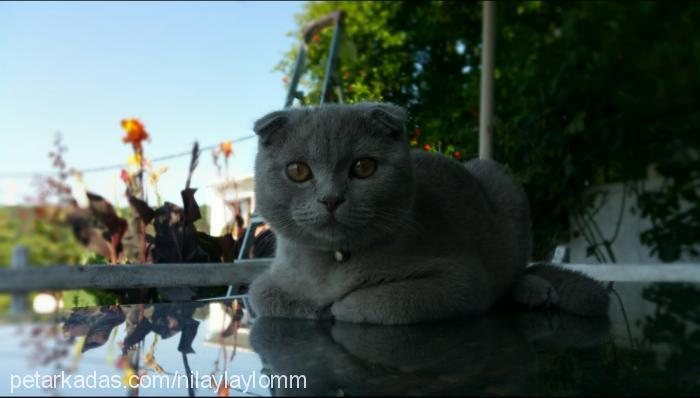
x=488 y=43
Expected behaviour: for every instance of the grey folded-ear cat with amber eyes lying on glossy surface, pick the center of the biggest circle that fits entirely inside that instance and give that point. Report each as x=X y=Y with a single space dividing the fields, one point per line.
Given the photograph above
x=371 y=231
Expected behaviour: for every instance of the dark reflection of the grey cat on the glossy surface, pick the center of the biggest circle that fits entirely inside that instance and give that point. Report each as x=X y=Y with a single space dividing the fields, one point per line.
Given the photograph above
x=490 y=355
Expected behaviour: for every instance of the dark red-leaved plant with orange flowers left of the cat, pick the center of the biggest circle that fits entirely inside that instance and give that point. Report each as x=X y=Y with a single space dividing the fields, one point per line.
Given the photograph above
x=174 y=239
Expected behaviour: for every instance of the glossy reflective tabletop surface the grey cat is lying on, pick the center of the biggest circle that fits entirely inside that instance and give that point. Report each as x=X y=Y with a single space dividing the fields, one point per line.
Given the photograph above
x=648 y=346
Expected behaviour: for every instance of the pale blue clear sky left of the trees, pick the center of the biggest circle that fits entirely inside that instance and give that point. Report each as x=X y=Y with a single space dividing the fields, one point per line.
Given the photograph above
x=190 y=71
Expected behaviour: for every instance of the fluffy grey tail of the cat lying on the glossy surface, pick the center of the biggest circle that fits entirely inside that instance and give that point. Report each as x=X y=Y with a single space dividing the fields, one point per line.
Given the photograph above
x=546 y=285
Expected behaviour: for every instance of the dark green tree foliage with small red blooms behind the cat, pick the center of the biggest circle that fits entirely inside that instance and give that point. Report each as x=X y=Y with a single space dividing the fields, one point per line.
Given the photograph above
x=586 y=93
